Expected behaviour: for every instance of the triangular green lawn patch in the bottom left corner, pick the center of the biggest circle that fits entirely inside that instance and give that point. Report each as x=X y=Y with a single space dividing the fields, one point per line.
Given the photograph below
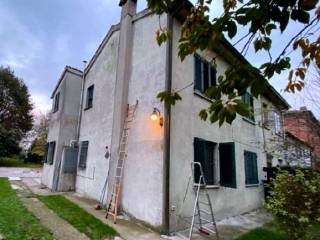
x=16 y=222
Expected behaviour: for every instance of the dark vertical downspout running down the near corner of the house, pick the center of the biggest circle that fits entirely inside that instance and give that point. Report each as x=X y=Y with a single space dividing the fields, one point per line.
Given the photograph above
x=167 y=119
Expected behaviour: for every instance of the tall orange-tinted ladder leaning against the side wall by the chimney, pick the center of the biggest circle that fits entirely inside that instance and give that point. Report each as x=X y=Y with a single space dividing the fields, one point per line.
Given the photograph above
x=114 y=202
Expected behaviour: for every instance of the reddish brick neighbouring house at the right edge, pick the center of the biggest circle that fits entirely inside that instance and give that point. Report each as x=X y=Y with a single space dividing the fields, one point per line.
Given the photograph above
x=304 y=126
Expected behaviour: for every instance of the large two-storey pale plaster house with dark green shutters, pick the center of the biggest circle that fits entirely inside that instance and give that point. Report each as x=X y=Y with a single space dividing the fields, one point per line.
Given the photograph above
x=129 y=67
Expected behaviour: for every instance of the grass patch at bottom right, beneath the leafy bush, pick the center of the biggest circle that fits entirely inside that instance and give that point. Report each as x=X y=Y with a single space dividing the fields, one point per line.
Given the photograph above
x=271 y=231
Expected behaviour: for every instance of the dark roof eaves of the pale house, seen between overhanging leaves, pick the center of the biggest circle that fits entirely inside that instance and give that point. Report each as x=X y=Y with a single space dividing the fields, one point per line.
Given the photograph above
x=180 y=11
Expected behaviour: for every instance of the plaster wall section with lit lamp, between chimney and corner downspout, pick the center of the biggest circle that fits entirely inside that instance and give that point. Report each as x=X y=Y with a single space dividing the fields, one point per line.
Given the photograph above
x=142 y=184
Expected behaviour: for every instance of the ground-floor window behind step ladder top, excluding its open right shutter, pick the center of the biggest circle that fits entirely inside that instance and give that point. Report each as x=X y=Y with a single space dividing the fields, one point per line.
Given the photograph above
x=204 y=154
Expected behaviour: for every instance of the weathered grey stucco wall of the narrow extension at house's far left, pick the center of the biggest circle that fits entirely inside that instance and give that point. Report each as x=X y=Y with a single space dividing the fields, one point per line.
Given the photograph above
x=62 y=128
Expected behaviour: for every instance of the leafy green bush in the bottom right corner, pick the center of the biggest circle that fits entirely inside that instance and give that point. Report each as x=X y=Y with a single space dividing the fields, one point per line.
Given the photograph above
x=295 y=202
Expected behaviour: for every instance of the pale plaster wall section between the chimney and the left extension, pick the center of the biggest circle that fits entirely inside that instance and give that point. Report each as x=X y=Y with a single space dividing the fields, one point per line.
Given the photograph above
x=96 y=123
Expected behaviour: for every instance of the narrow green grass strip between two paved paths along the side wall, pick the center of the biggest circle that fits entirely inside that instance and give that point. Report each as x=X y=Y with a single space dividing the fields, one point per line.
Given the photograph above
x=79 y=218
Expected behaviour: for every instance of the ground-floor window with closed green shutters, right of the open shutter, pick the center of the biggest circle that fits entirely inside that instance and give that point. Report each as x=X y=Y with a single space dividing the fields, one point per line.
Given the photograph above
x=251 y=167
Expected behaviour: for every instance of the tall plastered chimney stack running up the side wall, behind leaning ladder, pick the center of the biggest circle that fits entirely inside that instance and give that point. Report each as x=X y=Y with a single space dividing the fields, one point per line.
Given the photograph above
x=122 y=81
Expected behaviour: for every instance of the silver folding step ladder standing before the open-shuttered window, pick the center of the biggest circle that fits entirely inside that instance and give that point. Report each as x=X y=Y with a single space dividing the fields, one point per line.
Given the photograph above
x=202 y=206
